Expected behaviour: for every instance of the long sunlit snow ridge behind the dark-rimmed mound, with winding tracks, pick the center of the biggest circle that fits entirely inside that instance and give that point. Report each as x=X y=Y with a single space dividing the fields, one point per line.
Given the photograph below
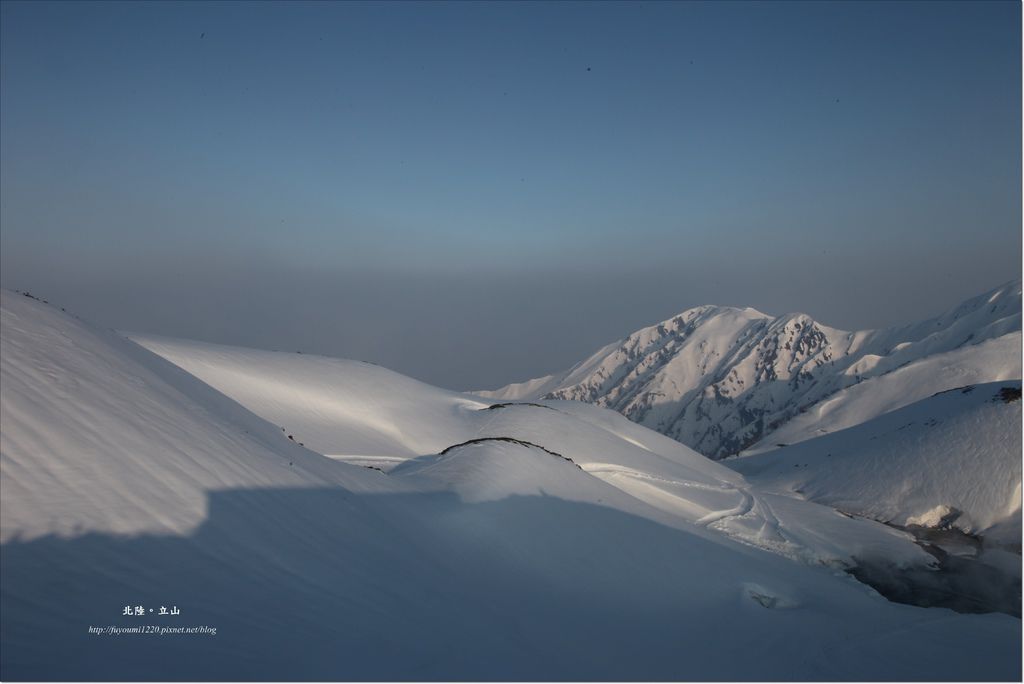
x=366 y=415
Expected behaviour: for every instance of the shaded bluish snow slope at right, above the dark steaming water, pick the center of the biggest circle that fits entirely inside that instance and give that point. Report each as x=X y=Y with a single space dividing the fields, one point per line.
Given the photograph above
x=954 y=457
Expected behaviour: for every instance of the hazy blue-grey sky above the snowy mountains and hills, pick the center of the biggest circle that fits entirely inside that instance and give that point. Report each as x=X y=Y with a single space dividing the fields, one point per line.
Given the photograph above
x=480 y=194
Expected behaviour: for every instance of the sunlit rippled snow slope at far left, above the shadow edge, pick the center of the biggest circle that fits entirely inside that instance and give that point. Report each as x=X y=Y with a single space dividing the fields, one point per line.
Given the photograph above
x=100 y=436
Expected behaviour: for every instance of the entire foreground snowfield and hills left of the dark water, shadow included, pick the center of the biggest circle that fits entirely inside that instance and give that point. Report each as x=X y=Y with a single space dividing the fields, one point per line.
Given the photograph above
x=557 y=541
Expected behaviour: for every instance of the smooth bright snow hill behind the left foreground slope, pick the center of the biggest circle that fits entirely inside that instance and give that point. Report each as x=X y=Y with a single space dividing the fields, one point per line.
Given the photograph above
x=335 y=407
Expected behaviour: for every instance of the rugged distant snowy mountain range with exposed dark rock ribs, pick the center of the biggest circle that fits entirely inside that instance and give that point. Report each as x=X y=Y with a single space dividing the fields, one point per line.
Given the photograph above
x=723 y=380
